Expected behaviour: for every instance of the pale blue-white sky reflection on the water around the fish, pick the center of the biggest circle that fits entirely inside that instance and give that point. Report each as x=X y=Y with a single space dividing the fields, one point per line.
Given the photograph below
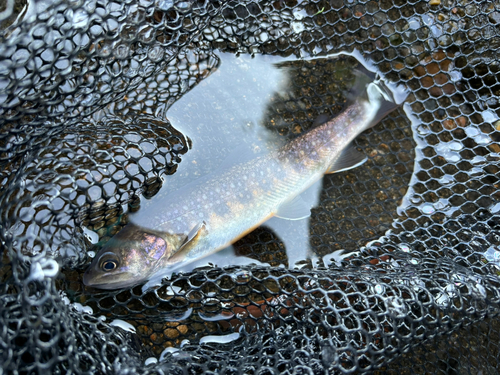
x=228 y=117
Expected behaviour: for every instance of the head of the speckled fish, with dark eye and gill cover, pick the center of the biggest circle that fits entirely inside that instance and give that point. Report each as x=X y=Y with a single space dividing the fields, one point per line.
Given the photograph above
x=128 y=258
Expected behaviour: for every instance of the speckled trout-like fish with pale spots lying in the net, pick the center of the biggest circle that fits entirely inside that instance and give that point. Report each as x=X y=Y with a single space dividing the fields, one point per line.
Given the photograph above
x=214 y=211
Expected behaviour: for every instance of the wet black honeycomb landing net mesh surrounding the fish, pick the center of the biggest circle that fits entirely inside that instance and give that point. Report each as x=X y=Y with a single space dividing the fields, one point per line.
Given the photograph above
x=85 y=88
